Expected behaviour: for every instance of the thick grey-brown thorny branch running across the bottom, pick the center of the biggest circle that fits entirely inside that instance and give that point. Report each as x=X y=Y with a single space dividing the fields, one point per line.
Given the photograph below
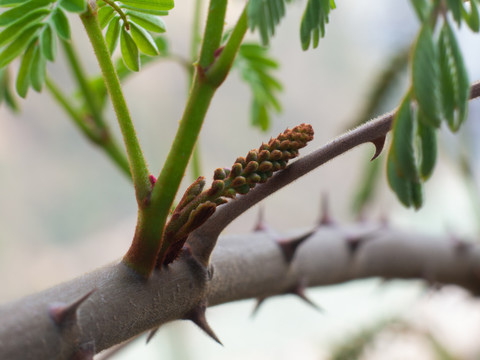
x=247 y=266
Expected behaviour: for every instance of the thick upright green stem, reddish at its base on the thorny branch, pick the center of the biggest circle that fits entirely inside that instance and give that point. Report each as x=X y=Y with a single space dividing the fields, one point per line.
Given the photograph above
x=142 y=255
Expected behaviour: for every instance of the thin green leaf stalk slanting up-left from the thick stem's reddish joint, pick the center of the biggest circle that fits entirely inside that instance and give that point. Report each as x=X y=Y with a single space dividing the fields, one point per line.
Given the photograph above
x=136 y=159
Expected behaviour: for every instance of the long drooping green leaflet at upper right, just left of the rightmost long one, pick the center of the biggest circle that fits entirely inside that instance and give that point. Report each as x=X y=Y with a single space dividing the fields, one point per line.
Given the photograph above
x=425 y=73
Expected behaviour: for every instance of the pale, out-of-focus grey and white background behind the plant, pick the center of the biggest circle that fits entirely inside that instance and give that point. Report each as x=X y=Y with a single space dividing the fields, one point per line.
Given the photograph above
x=65 y=208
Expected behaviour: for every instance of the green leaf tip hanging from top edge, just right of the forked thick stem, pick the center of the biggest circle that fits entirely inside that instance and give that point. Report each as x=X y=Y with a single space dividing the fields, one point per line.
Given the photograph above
x=265 y=15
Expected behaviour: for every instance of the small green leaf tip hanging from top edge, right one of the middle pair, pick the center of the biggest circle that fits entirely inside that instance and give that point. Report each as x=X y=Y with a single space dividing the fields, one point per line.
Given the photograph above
x=312 y=27
